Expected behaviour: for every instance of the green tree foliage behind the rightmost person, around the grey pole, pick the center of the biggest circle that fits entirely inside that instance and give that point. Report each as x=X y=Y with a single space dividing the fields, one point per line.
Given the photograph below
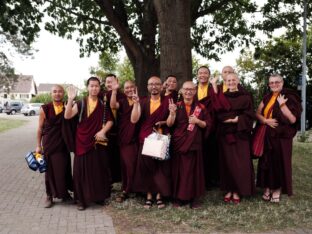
x=281 y=55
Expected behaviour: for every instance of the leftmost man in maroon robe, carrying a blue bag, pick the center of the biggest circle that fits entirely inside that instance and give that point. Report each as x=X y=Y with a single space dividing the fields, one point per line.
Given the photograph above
x=51 y=143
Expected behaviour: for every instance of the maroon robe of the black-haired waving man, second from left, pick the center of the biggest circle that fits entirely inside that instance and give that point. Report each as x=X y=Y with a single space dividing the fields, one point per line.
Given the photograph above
x=92 y=178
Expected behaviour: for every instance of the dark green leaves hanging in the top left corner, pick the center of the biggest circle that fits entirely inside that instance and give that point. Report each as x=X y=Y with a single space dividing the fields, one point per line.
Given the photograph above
x=19 y=26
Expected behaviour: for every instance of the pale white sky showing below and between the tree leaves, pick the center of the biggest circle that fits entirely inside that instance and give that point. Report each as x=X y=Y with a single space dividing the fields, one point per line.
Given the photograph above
x=57 y=61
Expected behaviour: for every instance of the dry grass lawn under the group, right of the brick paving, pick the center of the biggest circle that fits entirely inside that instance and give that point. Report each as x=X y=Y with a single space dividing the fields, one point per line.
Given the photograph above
x=251 y=215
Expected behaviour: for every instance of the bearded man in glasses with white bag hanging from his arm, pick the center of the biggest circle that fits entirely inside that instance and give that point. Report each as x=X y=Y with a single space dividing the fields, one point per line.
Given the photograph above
x=152 y=176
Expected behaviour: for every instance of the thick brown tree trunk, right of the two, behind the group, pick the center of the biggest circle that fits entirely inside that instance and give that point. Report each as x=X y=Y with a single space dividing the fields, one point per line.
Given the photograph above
x=174 y=18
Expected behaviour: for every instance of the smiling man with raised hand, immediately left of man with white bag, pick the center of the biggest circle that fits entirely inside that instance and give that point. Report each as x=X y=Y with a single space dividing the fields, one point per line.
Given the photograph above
x=127 y=134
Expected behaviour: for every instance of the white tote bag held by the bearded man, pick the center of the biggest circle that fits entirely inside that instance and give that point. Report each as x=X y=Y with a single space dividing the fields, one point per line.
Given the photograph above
x=157 y=146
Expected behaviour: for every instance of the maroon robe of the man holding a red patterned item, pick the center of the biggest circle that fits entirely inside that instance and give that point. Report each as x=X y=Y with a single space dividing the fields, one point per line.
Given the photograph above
x=187 y=161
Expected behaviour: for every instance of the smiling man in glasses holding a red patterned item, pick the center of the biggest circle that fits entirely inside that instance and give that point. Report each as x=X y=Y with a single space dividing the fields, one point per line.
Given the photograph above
x=190 y=121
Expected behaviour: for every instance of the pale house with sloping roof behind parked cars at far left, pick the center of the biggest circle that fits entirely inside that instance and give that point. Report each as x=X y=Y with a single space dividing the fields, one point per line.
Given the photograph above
x=24 y=88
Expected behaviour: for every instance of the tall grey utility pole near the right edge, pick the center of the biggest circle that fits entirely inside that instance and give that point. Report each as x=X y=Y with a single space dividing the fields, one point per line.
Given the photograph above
x=304 y=68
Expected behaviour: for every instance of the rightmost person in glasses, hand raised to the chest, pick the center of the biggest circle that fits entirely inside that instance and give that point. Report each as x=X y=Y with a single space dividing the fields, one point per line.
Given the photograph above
x=280 y=110
